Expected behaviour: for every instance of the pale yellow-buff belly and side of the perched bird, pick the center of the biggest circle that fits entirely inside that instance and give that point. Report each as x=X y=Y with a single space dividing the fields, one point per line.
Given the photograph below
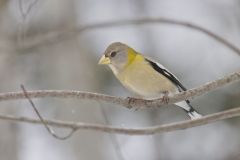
x=142 y=79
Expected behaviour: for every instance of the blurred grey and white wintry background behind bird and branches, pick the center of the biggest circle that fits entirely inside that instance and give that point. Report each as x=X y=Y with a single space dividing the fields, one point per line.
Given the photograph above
x=70 y=62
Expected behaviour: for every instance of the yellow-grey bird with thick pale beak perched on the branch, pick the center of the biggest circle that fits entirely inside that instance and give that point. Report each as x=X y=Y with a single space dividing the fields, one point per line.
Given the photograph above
x=143 y=76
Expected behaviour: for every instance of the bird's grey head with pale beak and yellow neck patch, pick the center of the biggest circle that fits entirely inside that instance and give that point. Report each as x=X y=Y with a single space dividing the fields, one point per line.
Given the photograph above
x=118 y=55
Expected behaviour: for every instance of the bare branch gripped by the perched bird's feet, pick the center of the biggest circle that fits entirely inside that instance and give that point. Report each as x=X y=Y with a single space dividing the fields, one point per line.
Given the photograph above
x=136 y=103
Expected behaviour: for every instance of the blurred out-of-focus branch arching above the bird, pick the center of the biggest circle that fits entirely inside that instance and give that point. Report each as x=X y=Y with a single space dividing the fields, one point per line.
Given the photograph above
x=61 y=35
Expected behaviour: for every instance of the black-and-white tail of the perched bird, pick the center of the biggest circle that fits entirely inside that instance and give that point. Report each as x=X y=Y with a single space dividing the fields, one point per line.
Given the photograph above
x=192 y=113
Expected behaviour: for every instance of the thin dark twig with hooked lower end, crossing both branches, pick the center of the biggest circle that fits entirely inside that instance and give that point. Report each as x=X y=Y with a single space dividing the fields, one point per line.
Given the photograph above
x=43 y=121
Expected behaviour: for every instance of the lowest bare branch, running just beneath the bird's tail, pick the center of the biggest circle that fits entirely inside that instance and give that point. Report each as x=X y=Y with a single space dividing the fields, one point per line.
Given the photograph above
x=132 y=131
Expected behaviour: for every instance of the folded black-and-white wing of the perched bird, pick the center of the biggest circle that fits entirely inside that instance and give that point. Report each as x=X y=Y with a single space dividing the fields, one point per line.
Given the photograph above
x=162 y=70
